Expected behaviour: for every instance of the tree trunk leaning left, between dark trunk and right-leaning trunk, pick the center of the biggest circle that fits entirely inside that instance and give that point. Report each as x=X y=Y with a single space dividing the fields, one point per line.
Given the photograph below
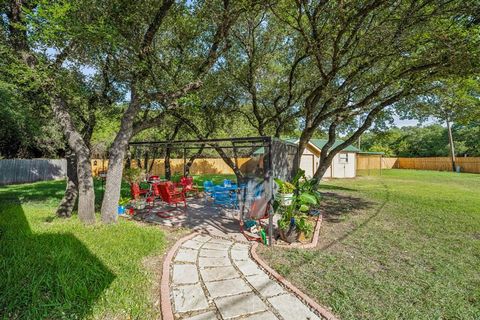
x=86 y=194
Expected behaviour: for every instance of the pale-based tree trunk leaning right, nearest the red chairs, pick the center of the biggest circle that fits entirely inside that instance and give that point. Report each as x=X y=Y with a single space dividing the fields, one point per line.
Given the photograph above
x=115 y=162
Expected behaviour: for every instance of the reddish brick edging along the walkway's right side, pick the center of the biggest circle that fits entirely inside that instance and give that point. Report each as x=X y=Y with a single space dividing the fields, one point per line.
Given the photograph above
x=321 y=310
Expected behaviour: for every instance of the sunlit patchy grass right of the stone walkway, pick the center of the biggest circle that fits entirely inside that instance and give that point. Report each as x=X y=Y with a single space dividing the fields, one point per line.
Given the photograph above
x=404 y=245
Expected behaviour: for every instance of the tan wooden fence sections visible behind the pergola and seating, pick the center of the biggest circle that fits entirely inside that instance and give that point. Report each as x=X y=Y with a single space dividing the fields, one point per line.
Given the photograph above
x=199 y=166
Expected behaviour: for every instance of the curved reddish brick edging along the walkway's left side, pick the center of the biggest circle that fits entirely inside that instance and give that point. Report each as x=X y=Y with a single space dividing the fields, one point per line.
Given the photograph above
x=165 y=303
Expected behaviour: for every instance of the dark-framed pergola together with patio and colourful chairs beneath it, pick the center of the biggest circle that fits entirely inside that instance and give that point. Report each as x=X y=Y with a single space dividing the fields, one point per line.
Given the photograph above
x=239 y=208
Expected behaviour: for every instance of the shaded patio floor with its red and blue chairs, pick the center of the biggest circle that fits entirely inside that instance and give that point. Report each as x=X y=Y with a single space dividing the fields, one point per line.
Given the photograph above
x=211 y=208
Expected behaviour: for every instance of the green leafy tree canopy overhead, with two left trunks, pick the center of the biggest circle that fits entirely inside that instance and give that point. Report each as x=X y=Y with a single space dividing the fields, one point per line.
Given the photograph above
x=105 y=72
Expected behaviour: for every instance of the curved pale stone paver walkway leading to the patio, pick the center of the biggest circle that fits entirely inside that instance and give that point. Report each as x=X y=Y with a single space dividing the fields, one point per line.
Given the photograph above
x=213 y=278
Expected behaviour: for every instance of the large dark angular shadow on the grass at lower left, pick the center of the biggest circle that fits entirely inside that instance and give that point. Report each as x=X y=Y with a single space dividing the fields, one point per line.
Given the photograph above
x=45 y=276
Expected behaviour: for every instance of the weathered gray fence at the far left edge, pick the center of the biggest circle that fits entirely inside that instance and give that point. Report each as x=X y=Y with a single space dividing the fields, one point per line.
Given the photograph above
x=14 y=171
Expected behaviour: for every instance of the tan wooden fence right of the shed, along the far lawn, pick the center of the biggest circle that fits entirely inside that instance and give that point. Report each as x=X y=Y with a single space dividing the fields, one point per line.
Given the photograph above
x=467 y=164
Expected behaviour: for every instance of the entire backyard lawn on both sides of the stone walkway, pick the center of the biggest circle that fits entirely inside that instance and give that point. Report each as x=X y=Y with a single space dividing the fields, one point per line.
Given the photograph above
x=402 y=245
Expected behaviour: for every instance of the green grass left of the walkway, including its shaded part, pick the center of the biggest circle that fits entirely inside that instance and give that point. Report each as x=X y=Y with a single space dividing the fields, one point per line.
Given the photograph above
x=53 y=268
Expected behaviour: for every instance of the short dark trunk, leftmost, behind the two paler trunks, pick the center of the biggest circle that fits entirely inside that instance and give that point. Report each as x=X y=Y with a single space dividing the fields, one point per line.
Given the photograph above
x=67 y=204
